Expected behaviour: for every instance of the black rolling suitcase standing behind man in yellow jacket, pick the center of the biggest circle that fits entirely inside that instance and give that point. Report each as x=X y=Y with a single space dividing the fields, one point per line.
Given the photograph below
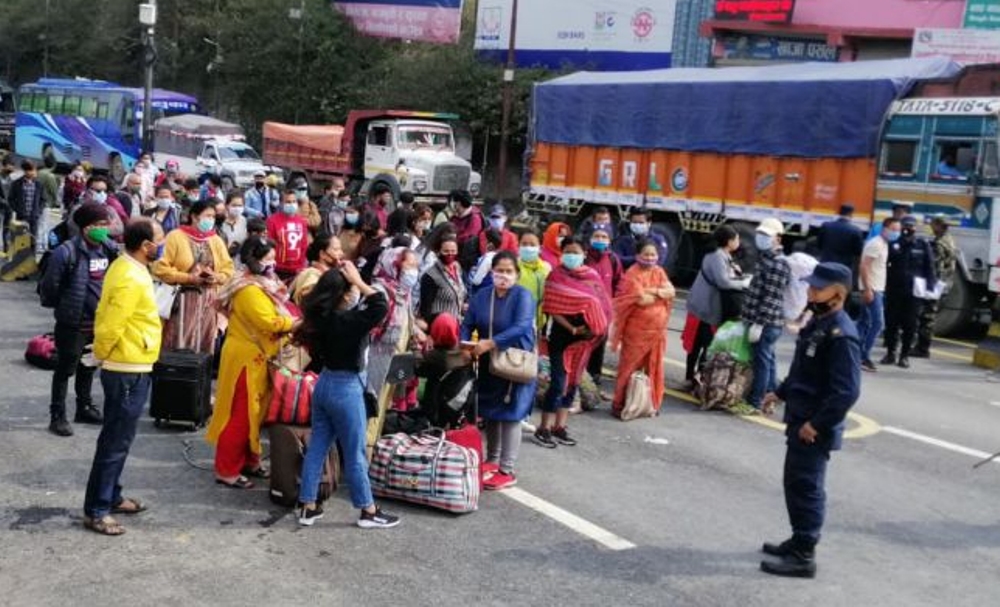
x=182 y=384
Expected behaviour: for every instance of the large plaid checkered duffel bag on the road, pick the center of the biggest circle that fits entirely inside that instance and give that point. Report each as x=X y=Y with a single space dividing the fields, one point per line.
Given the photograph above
x=428 y=470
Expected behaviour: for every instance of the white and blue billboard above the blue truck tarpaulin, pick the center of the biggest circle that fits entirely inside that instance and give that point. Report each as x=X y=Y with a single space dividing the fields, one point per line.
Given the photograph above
x=591 y=34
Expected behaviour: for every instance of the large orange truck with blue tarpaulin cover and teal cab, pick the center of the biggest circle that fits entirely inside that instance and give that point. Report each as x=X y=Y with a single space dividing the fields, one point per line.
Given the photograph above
x=701 y=148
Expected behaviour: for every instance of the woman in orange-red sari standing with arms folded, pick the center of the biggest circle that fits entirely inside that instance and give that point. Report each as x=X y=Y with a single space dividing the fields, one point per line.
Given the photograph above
x=642 y=310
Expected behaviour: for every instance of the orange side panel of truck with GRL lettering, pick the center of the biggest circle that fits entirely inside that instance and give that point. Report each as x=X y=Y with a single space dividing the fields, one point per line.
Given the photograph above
x=797 y=190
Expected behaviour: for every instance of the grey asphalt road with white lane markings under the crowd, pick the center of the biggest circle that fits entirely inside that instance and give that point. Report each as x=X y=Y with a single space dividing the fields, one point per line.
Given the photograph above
x=687 y=498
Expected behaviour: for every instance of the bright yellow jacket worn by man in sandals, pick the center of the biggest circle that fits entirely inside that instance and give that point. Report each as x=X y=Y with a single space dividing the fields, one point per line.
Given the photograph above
x=127 y=326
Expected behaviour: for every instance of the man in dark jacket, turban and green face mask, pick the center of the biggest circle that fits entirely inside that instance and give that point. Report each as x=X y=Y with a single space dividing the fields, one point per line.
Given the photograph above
x=72 y=285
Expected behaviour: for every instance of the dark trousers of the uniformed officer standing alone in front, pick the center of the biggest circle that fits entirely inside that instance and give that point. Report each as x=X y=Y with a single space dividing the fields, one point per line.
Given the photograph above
x=805 y=491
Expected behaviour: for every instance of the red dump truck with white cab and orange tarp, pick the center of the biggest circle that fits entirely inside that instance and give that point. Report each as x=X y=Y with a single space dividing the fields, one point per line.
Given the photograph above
x=407 y=151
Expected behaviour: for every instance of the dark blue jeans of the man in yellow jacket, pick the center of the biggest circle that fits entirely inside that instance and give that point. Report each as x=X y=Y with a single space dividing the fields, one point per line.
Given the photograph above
x=125 y=396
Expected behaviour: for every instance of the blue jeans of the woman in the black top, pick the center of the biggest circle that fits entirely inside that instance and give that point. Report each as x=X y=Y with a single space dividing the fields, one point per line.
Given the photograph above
x=338 y=412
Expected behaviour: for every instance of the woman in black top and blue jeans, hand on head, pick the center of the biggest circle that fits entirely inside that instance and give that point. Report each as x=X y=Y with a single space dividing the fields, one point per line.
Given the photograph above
x=335 y=330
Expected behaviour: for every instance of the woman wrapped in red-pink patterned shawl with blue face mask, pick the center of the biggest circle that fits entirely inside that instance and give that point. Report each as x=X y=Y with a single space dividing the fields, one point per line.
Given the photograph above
x=580 y=308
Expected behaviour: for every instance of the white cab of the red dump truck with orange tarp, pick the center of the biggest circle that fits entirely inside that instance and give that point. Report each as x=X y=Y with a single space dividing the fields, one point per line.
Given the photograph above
x=418 y=155
